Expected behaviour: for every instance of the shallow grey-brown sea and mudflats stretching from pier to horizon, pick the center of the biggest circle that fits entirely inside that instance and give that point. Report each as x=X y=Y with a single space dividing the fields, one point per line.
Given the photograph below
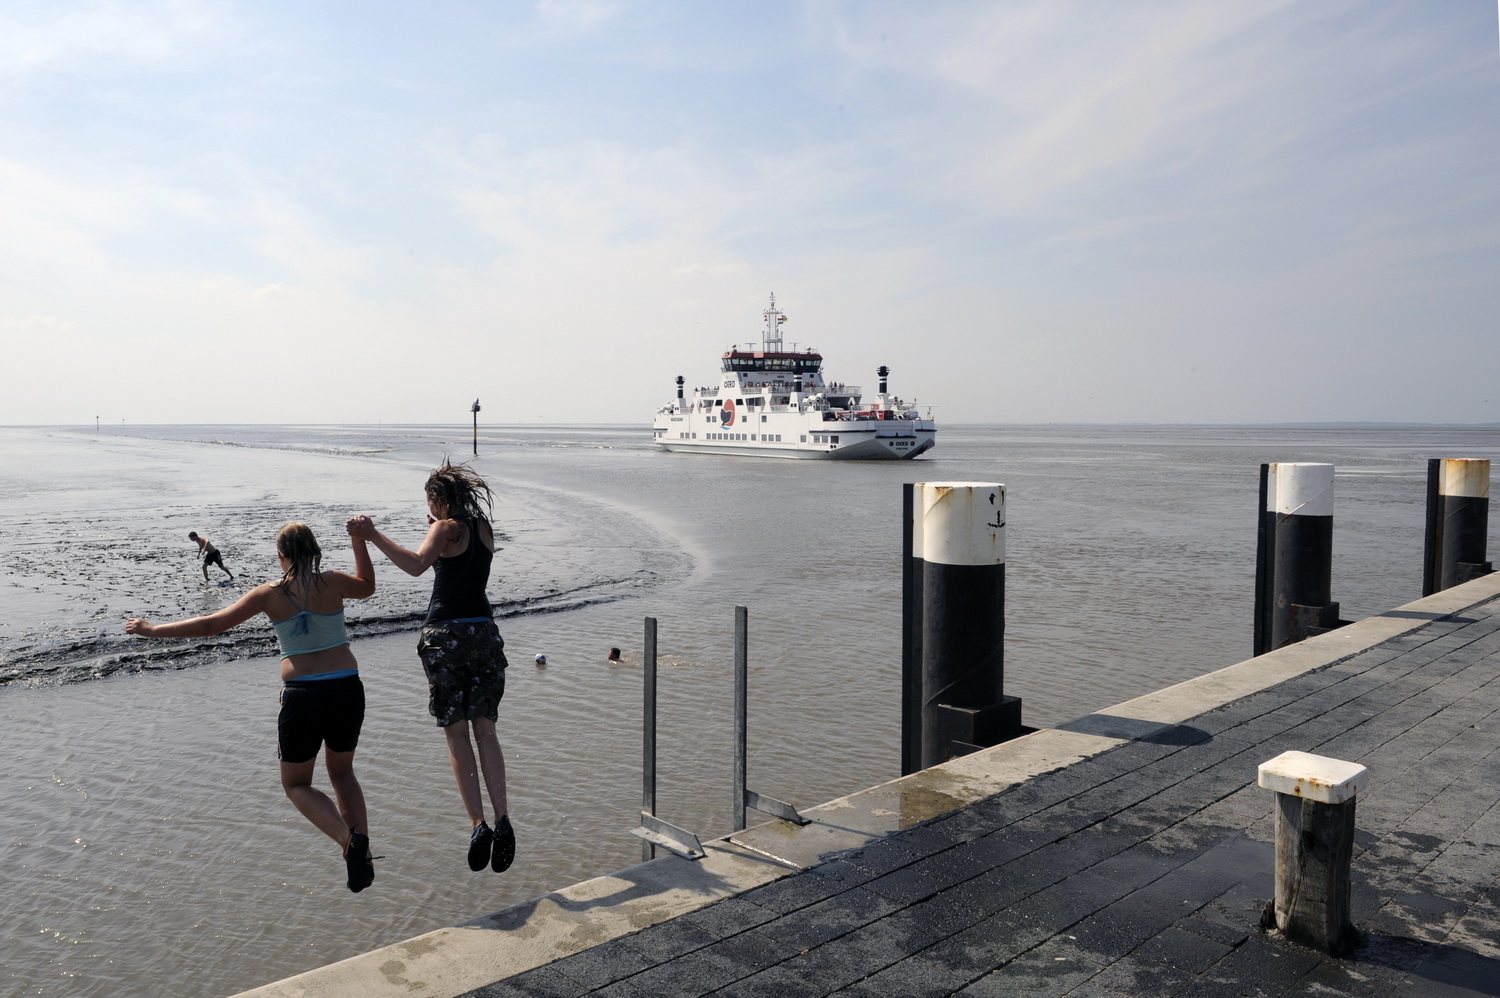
x=148 y=849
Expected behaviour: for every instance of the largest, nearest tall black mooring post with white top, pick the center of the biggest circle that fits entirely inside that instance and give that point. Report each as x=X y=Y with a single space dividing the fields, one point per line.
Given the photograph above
x=964 y=703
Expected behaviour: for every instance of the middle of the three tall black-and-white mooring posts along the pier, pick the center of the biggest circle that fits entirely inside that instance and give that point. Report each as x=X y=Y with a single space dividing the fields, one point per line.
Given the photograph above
x=1295 y=555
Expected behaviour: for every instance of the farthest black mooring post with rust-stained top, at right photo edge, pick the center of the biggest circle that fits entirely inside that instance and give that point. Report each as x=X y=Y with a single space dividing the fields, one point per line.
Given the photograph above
x=1457 y=523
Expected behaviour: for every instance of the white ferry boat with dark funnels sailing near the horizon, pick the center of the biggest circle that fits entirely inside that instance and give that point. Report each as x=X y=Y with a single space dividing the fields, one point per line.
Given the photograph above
x=775 y=403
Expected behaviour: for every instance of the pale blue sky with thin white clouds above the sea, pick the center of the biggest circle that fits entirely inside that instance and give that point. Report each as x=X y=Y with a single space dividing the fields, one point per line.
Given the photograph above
x=1055 y=211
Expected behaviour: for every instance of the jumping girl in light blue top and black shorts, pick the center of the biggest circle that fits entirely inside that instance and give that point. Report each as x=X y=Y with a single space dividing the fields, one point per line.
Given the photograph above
x=323 y=700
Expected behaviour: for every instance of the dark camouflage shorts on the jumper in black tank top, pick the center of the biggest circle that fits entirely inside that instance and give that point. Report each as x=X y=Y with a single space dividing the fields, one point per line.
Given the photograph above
x=466 y=666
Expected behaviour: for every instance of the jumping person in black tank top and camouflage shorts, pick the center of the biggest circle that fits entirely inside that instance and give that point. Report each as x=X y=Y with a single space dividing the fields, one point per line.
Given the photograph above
x=461 y=649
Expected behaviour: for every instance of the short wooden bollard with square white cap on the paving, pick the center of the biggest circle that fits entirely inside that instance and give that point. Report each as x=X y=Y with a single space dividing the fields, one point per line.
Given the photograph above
x=1315 y=847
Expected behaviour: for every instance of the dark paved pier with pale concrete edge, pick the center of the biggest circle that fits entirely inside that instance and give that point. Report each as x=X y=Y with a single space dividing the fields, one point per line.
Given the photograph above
x=1126 y=853
